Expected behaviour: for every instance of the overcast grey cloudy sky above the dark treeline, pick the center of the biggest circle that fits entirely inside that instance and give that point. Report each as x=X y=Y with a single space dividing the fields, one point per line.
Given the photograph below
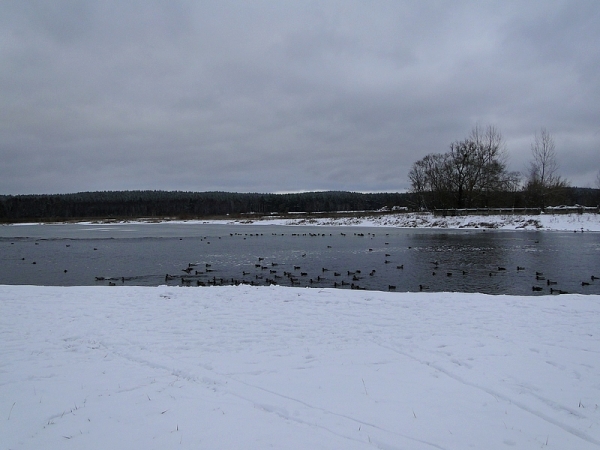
x=282 y=96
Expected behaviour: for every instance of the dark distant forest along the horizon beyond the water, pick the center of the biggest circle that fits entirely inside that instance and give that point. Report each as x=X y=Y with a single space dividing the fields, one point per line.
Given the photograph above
x=137 y=204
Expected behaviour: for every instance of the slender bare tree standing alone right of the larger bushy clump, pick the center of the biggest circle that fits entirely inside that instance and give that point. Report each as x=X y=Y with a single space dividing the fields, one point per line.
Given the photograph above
x=544 y=185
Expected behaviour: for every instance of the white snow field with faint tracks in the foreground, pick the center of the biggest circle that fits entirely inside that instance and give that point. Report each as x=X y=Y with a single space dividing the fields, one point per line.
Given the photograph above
x=275 y=367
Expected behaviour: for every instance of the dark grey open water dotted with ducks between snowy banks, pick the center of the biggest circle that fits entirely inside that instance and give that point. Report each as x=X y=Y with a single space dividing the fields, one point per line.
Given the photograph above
x=492 y=262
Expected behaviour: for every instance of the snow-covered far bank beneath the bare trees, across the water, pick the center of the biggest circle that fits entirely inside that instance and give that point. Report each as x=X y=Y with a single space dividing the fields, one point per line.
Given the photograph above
x=555 y=222
